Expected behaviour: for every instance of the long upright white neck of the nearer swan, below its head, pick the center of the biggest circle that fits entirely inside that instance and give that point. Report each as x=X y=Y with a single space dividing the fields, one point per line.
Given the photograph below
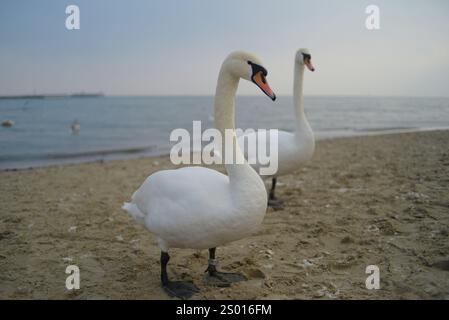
x=227 y=85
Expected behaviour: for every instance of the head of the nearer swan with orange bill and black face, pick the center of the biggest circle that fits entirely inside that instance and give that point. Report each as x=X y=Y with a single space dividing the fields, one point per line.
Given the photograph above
x=247 y=66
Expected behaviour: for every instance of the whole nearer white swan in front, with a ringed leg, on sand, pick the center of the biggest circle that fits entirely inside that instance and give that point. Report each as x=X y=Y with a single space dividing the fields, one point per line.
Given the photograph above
x=200 y=208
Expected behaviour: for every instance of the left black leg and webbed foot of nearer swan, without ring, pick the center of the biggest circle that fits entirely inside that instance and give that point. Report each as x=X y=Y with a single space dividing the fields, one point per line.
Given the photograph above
x=179 y=289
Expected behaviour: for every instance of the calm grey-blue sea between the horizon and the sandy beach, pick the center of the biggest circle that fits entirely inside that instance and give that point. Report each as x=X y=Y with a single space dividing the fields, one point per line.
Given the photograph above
x=123 y=127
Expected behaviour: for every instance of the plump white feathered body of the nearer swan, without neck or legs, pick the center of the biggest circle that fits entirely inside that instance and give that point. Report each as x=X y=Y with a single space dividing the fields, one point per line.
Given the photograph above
x=196 y=207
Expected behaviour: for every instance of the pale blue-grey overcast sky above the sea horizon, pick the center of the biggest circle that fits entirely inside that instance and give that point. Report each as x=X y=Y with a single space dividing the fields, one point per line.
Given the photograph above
x=168 y=47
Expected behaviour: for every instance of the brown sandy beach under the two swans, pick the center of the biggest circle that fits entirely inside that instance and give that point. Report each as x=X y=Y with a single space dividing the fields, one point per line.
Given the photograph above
x=378 y=200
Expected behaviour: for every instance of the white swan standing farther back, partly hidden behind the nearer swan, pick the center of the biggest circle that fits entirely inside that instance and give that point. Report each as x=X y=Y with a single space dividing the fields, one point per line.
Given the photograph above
x=293 y=148
